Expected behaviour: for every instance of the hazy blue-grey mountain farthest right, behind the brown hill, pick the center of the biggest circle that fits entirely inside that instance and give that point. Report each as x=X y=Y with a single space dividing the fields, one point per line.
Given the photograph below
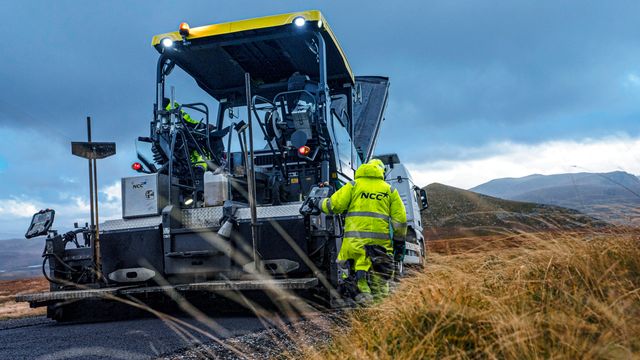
x=614 y=196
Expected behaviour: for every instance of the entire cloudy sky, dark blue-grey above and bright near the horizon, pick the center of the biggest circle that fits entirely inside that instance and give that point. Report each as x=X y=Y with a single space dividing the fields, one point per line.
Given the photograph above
x=480 y=89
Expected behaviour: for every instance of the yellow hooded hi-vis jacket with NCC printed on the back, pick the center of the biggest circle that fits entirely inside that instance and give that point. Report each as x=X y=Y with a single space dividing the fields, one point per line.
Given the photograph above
x=370 y=206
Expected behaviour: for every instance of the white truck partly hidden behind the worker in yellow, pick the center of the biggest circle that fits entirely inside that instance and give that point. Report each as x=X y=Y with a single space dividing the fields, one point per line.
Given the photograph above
x=415 y=200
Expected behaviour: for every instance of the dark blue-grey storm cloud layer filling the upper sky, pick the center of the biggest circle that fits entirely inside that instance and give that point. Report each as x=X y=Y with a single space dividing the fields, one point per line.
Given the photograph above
x=457 y=61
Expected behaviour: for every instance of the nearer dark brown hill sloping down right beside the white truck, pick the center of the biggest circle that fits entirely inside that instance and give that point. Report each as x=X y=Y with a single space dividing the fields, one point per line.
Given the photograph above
x=456 y=212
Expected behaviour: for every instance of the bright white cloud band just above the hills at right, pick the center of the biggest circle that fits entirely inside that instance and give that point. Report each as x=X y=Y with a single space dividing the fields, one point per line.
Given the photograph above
x=508 y=159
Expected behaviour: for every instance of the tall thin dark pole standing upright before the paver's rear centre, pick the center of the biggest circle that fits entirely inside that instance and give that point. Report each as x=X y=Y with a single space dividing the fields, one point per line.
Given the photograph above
x=251 y=179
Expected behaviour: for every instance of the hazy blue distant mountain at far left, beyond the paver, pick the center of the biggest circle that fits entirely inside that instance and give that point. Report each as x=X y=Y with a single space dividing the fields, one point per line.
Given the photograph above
x=20 y=258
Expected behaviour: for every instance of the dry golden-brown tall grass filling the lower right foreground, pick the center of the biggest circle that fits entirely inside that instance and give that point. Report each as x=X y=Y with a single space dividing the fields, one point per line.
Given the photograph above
x=556 y=296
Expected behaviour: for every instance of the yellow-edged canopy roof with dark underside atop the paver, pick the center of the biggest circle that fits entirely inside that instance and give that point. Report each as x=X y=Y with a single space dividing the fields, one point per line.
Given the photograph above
x=270 y=48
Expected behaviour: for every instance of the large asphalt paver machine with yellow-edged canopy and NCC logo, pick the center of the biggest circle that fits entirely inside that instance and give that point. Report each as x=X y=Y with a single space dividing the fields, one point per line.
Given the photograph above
x=216 y=207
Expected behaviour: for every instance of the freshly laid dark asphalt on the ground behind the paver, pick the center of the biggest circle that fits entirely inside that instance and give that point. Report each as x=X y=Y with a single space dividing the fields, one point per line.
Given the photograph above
x=141 y=338
